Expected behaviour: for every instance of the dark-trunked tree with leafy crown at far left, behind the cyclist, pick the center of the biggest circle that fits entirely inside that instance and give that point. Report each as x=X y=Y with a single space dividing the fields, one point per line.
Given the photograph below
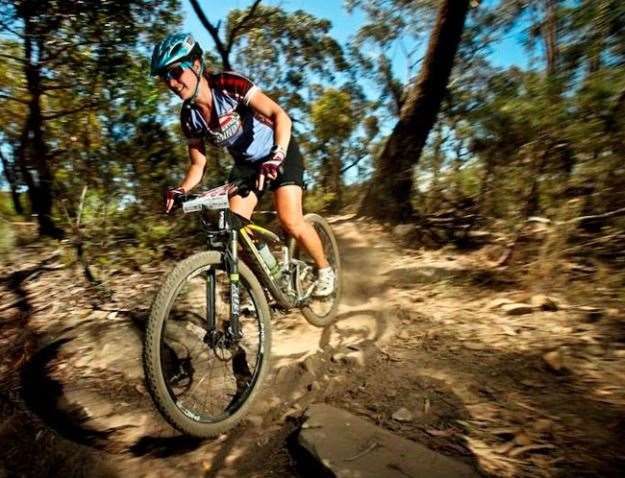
x=70 y=52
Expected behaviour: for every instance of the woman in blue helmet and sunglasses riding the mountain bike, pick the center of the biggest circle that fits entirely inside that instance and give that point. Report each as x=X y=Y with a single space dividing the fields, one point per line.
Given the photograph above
x=228 y=110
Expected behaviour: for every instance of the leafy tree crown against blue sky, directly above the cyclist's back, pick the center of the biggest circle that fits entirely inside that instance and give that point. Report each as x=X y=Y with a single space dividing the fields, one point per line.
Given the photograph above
x=284 y=52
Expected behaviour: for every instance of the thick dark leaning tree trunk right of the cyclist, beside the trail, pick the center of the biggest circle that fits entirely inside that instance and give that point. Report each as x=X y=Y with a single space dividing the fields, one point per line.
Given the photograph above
x=390 y=190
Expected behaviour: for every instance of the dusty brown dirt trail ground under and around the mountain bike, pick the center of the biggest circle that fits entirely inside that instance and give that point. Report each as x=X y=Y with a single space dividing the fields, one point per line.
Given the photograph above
x=416 y=331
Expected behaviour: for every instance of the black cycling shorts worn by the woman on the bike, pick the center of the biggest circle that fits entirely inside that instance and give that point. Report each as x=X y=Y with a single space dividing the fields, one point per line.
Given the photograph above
x=292 y=171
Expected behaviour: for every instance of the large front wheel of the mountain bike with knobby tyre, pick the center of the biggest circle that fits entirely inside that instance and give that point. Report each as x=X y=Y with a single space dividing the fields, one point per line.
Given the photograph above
x=203 y=383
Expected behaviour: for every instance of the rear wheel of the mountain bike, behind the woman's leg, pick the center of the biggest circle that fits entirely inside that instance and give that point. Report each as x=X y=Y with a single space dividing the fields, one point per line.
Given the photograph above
x=321 y=311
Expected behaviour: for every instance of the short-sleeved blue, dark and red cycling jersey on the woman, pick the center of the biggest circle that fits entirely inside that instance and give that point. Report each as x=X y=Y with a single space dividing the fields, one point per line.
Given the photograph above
x=234 y=125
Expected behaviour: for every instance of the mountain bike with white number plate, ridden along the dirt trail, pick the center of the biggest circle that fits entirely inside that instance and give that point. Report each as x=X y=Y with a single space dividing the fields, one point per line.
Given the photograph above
x=208 y=337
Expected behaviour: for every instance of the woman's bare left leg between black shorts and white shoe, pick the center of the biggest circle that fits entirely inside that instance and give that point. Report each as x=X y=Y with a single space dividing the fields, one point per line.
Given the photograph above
x=288 y=203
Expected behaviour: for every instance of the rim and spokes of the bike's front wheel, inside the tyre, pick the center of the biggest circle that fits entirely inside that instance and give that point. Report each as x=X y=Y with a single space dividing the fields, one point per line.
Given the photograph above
x=209 y=384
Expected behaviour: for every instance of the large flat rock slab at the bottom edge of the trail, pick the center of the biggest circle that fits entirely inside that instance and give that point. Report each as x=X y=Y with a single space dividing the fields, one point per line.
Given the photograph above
x=349 y=446
